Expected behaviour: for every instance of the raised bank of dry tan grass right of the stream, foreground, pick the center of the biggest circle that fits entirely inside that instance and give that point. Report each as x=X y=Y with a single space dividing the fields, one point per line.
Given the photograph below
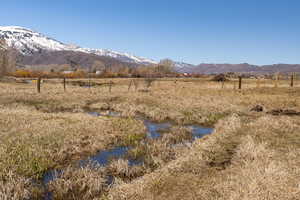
x=233 y=163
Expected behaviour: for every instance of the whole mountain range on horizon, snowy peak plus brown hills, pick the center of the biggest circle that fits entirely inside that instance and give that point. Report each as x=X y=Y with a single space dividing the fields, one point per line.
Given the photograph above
x=36 y=49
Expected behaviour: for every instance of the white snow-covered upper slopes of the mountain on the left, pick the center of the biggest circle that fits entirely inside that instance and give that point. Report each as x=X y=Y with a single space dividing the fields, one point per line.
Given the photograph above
x=29 y=42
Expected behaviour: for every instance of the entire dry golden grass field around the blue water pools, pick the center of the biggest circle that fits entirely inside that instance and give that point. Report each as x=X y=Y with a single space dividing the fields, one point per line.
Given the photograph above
x=249 y=155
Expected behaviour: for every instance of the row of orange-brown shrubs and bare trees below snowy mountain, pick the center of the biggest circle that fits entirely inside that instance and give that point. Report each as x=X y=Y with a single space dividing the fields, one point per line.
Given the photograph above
x=164 y=68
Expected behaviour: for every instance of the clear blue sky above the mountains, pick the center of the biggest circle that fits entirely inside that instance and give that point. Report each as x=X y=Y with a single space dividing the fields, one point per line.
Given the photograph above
x=193 y=31
